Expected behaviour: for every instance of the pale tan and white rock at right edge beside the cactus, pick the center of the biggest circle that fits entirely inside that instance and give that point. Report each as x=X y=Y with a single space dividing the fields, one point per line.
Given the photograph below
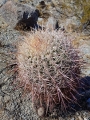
x=82 y=42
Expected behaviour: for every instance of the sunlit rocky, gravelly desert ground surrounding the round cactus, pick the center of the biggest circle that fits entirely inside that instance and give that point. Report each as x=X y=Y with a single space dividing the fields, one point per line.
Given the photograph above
x=60 y=14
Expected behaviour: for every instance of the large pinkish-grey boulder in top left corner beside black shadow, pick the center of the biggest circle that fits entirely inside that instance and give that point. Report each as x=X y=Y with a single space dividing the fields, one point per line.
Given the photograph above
x=12 y=12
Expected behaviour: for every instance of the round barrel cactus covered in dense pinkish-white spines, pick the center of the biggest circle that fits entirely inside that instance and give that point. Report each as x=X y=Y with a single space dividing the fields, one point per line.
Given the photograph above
x=49 y=69
